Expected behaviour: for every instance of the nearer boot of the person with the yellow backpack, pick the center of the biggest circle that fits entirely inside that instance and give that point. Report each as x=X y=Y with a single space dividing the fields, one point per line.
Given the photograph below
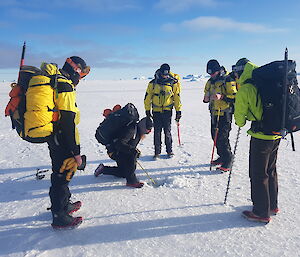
x=65 y=221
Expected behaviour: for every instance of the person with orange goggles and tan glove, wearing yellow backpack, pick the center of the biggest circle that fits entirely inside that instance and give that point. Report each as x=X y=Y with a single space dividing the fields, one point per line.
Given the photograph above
x=64 y=144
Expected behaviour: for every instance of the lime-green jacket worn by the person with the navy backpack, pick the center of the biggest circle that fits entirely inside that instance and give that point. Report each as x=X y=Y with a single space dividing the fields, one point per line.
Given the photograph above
x=248 y=105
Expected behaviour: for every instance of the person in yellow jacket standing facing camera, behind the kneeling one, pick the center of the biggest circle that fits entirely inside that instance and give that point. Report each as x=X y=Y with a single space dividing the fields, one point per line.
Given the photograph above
x=162 y=95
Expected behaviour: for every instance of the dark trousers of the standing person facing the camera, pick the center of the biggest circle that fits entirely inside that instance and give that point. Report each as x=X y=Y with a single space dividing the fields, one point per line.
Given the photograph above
x=162 y=121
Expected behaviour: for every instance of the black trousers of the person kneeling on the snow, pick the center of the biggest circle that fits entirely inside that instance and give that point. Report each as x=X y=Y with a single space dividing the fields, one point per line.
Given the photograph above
x=126 y=166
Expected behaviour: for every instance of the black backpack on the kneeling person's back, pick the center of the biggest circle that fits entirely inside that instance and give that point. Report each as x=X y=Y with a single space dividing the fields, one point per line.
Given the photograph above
x=110 y=127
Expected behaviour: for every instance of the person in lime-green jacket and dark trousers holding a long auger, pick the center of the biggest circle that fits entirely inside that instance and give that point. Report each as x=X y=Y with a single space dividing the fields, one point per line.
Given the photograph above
x=263 y=147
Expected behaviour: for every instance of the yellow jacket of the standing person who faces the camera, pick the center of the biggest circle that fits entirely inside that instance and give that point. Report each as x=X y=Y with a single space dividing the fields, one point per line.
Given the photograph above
x=163 y=97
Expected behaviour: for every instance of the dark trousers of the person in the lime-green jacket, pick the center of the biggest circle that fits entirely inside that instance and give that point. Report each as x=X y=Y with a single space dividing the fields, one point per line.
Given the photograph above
x=263 y=175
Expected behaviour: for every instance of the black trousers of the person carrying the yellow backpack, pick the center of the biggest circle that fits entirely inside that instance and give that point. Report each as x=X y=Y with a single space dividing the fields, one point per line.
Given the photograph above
x=59 y=191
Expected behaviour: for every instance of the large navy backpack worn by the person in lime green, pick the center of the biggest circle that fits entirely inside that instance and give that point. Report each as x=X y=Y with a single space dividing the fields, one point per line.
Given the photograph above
x=278 y=88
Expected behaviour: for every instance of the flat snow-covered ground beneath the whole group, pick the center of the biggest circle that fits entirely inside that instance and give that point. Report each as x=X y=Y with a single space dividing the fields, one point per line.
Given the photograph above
x=183 y=217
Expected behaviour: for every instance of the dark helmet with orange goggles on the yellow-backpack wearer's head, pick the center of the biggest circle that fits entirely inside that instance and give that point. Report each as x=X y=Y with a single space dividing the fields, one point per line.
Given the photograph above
x=76 y=68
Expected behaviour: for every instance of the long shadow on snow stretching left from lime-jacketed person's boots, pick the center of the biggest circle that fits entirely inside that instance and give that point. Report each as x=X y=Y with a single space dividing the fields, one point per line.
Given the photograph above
x=41 y=237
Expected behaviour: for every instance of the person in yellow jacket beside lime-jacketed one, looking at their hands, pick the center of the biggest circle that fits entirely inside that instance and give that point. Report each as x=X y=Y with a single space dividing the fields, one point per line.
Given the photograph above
x=220 y=92
